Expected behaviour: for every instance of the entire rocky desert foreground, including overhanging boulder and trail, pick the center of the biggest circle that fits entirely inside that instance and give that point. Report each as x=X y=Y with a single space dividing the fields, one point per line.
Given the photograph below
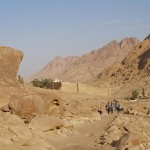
x=40 y=119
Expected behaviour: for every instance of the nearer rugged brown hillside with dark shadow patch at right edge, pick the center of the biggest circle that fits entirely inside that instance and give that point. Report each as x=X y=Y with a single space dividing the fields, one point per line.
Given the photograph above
x=133 y=73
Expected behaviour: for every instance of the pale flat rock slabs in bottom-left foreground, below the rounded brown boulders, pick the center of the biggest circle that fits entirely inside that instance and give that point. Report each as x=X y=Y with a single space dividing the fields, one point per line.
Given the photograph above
x=15 y=134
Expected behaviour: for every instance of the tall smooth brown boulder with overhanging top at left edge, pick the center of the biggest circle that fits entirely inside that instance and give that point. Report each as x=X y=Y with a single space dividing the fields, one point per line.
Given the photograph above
x=9 y=64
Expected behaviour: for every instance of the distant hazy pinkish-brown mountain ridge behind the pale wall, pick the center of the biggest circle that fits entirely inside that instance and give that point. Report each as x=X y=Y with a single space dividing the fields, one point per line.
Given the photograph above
x=89 y=66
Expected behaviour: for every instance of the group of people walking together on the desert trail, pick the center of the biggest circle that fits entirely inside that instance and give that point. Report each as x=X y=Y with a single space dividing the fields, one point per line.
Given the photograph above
x=111 y=107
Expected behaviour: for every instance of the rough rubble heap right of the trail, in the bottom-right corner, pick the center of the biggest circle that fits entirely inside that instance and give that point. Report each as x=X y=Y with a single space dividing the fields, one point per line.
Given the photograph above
x=128 y=132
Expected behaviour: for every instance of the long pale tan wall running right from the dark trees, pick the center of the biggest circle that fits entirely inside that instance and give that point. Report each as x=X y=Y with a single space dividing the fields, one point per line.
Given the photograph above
x=83 y=88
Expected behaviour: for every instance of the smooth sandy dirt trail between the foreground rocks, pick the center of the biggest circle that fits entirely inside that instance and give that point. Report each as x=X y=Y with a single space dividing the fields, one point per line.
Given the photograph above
x=85 y=137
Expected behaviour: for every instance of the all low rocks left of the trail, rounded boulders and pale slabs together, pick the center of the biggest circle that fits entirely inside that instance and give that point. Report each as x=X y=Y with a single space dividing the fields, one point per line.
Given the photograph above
x=30 y=123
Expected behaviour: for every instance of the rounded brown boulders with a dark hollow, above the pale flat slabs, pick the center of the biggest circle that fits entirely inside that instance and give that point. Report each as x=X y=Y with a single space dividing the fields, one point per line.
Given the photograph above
x=32 y=105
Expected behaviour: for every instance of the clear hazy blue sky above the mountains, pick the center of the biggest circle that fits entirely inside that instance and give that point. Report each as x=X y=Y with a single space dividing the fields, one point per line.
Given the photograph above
x=45 y=29
